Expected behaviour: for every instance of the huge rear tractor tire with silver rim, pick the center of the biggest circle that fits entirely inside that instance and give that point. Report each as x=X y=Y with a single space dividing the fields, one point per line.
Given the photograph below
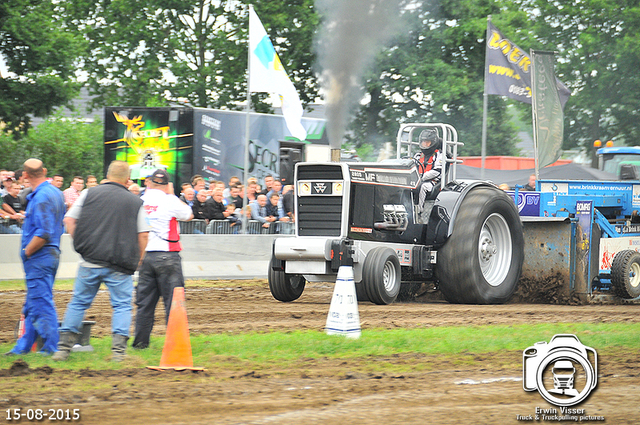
x=481 y=261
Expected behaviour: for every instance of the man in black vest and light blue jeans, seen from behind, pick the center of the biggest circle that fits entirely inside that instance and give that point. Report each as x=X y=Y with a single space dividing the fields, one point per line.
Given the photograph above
x=110 y=232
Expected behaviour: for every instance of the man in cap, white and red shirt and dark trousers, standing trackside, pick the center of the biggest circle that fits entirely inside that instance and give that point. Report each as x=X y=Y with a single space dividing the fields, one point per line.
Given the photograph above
x=161 y=269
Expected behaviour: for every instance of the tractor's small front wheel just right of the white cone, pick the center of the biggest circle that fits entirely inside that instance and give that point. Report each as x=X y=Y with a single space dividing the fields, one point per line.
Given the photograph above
x=381 y=275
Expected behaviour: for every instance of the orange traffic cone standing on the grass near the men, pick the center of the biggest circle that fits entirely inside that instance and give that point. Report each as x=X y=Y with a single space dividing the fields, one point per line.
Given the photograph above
x=176 y=353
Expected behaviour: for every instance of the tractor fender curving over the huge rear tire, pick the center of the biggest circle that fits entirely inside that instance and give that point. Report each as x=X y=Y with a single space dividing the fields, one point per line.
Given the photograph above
x=445 y=210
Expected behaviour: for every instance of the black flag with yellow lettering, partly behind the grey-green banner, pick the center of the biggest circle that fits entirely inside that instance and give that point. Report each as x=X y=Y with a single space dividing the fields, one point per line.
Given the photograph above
x=509 y=69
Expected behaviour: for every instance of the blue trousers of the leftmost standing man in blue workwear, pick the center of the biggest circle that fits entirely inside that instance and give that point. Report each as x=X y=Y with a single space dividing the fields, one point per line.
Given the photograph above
x=40 y=317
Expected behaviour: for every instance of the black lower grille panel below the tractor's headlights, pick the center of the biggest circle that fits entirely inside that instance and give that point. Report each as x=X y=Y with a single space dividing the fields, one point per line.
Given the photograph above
x=319 y=215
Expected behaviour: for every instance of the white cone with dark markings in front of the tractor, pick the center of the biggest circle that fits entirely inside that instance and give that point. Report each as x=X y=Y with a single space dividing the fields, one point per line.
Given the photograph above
x=343 y=318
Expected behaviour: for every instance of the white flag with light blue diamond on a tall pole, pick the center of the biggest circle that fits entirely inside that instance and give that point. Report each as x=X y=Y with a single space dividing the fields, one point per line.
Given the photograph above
x=268 y=75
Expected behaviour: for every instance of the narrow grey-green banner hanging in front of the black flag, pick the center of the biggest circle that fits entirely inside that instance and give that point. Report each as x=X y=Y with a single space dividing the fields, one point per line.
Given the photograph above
x=548 y=118
